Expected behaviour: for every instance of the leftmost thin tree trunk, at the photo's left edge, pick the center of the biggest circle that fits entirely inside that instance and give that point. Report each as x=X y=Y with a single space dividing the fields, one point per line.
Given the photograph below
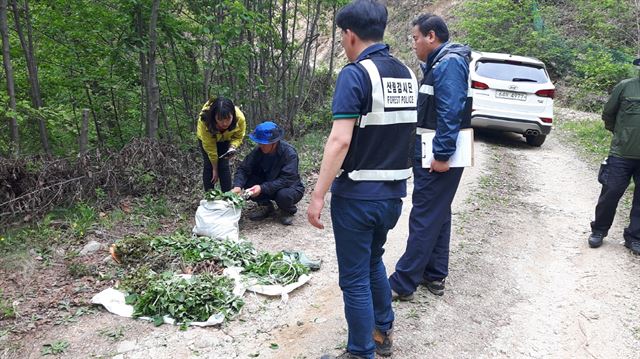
x=8 y=69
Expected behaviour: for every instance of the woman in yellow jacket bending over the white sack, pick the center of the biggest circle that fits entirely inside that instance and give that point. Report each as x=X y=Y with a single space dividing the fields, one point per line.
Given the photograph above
x=221 y=129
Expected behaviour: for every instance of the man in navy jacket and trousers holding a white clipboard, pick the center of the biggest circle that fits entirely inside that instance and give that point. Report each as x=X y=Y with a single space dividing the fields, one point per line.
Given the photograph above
x=443 y=107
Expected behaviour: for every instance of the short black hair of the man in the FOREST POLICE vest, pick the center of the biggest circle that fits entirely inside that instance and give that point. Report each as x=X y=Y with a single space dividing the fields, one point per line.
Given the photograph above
x=366 y=18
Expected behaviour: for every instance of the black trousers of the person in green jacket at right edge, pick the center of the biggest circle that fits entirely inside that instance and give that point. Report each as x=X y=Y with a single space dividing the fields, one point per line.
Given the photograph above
x=615 y=177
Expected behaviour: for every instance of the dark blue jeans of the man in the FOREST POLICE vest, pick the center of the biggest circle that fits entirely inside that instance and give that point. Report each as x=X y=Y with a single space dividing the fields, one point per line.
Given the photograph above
x=360 y=228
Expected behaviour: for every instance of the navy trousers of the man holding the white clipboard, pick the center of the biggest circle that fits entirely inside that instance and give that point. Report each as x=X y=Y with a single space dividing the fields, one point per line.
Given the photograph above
x=427 y=254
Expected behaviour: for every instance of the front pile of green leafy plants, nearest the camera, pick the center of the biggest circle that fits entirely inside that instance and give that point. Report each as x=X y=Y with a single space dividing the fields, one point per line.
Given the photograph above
x=186 y=300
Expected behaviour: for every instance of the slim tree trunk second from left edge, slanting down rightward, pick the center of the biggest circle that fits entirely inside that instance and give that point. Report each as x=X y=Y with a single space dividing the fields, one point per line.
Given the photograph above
x=32 y=68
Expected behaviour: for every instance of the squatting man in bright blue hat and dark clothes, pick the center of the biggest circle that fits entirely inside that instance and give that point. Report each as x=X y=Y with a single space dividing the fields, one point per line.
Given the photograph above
x=270 y=173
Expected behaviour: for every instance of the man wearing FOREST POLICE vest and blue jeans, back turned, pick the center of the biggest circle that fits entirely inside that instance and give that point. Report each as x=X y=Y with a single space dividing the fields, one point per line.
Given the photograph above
x=375 y=100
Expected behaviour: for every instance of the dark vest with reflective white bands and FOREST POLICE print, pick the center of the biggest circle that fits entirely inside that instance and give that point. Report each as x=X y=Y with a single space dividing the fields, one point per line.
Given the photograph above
x=382 y=142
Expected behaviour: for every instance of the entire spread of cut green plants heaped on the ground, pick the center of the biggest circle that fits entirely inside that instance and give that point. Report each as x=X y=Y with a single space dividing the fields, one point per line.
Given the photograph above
x=155 y=294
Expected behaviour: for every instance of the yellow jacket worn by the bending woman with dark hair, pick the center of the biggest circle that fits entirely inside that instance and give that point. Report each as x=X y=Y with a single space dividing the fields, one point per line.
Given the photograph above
x=210 y=140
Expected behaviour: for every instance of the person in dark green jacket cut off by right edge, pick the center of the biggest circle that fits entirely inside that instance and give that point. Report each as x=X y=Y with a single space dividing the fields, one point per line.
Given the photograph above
x=621 y=116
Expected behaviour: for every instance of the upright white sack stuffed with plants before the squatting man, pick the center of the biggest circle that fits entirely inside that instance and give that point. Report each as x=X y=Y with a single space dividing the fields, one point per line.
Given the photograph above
x=217 y=220
